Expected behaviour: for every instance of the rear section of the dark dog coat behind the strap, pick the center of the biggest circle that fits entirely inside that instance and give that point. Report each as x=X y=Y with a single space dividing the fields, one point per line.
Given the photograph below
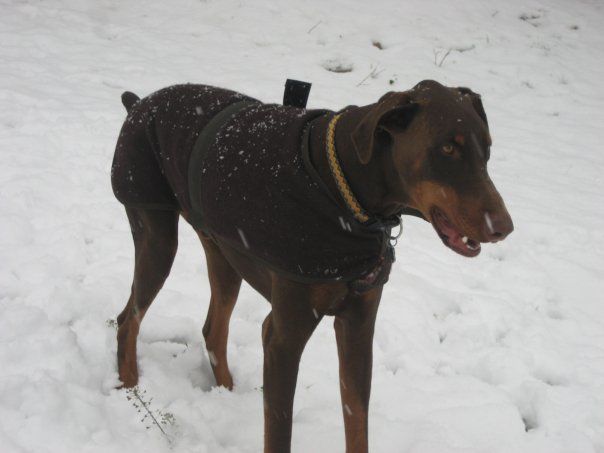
x=153 y=149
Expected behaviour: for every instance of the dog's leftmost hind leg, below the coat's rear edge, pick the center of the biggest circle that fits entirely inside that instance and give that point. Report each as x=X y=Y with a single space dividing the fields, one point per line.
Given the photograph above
x=155 y=235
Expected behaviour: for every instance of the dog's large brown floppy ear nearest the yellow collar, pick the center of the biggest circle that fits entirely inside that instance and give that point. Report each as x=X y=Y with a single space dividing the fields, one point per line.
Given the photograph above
x=393 y=112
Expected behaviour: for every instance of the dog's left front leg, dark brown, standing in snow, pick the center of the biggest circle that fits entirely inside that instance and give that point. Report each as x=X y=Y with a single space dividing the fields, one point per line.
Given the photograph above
x=285 y=332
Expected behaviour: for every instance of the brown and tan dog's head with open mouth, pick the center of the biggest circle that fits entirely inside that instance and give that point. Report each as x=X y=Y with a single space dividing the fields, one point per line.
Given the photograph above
x=439 y=142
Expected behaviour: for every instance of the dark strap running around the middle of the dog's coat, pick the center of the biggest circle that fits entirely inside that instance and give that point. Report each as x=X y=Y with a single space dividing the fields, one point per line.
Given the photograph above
x=203 y=142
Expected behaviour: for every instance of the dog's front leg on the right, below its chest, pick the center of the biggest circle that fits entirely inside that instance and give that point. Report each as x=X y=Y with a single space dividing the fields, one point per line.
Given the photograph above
x=354 y=334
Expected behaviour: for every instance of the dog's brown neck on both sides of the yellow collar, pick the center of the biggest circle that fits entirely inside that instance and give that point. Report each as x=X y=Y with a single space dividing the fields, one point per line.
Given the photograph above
x=375 y=184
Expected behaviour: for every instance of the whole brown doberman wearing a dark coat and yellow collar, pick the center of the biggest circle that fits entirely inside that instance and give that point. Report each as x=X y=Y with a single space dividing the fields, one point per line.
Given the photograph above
x=299 y=204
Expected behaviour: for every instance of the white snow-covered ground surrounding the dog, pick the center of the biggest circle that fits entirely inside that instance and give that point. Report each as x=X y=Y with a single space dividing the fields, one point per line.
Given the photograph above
x=502 y=353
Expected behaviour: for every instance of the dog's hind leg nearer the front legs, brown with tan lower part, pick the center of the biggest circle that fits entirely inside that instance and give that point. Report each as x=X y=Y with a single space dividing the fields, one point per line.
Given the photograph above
x=224 y=283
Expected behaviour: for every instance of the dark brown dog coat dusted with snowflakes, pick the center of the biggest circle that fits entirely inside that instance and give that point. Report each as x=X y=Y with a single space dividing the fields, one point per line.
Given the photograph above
x=248 y=182
